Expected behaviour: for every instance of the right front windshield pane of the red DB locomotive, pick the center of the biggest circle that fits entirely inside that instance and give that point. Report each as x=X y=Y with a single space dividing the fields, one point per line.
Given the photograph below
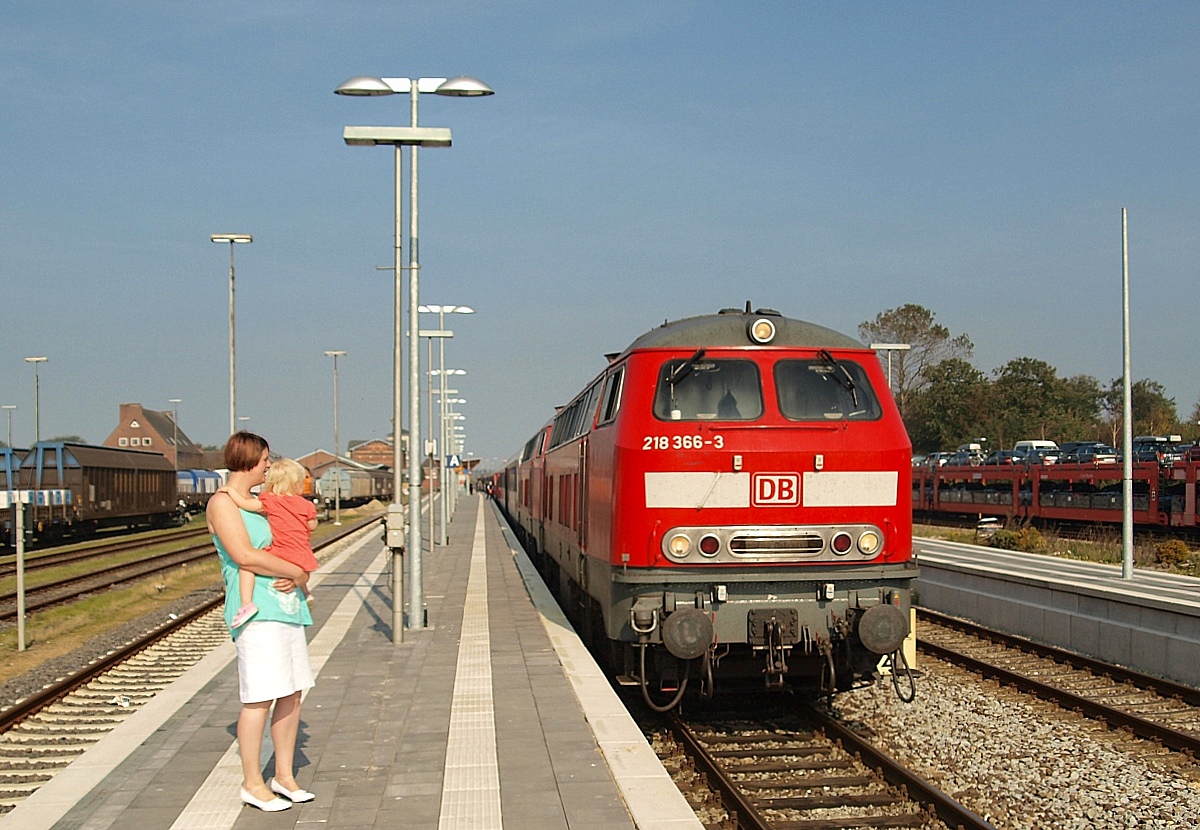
x=825 y=390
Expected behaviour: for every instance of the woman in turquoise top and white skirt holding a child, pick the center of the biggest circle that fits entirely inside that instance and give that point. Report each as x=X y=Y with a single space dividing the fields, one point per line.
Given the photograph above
x=273 y=653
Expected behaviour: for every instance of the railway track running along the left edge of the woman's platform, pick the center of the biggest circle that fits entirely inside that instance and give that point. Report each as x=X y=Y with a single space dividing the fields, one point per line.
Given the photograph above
x=45 y=732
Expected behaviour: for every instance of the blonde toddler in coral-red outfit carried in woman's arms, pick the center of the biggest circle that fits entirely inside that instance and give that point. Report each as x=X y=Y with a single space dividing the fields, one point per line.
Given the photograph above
x=292 y=520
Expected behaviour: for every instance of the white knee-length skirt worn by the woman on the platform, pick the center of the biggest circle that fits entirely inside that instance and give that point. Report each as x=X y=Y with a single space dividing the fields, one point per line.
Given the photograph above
x=273 y=661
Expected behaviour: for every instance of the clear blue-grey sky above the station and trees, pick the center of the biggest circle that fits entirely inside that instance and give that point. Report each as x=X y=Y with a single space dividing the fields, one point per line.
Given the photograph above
x=640 y=161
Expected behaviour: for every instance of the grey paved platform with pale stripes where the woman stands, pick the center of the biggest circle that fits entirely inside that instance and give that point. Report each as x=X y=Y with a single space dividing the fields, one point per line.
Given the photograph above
x=494 y=715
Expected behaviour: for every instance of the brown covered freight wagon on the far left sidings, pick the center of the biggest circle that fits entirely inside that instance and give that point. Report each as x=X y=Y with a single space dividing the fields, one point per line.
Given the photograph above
x=77 y=489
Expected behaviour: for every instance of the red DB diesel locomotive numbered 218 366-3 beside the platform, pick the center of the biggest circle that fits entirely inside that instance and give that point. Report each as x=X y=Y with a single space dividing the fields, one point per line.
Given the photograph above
x=729 y=500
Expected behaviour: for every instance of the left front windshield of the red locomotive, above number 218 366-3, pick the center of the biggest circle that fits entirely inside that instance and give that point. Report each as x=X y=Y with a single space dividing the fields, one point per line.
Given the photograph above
x=703 y=389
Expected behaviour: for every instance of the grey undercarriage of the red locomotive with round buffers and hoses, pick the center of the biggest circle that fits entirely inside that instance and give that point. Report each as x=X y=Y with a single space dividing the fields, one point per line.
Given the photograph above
x=669 y=630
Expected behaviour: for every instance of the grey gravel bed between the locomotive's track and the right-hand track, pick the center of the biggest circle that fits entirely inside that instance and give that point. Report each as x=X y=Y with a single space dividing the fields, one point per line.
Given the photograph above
x=1023 y=763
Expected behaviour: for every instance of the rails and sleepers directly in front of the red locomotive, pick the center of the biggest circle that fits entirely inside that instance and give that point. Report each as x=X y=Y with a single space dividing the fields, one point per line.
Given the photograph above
x=805 y=769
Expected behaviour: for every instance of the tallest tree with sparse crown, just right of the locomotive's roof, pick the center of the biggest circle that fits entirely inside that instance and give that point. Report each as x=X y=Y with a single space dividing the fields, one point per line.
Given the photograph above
x=931 y=345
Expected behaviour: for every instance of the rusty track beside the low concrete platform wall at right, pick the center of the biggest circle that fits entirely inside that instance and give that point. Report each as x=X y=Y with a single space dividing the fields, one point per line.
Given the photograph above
x=1150 y=708
